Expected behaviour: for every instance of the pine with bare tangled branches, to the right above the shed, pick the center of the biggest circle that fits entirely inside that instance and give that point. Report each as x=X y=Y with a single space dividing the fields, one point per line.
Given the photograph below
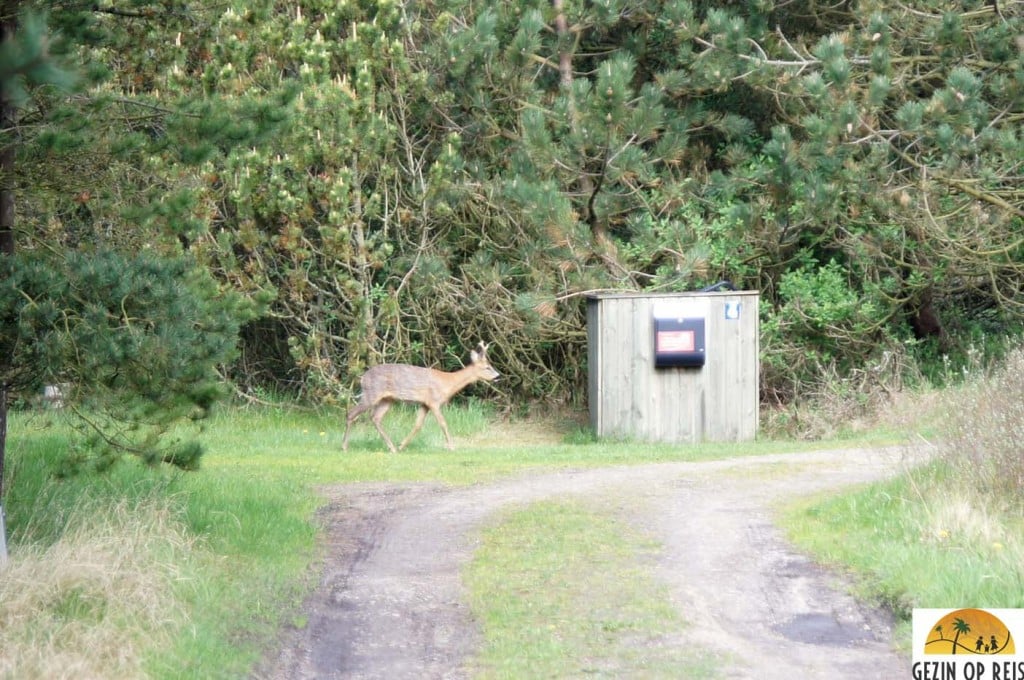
x=894 y=154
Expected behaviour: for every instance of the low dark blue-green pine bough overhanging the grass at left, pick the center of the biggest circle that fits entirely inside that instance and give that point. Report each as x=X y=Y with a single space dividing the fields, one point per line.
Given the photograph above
x=133 y=344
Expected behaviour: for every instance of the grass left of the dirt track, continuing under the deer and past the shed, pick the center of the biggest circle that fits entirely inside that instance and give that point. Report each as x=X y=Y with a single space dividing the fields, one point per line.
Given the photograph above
x=223 y=557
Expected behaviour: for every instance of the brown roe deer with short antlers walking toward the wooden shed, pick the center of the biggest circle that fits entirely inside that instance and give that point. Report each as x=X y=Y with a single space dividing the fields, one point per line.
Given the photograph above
x=388 y=384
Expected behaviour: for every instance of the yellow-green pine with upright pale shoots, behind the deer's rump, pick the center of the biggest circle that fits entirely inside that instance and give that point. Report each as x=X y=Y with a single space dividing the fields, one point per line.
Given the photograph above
x=314 y=216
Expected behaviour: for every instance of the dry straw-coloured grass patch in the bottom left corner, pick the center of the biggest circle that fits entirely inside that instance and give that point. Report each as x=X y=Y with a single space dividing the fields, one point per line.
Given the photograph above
x=83 y=607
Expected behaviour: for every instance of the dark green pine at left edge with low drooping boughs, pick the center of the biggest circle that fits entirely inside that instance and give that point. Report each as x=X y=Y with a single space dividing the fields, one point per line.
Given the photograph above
x=102 y=292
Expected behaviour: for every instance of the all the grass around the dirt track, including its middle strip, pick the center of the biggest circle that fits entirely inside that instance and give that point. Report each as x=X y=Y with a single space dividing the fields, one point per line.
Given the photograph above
x=162 y=574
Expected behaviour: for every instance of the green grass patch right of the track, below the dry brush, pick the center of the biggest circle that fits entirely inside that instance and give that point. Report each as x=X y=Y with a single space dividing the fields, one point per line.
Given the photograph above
x=917 y=542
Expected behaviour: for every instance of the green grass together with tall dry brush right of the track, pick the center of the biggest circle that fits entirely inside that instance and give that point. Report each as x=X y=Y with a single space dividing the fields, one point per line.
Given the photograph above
x=950 y=534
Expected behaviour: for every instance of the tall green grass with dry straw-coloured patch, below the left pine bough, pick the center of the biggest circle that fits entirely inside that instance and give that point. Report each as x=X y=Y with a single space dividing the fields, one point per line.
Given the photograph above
x=90 y=588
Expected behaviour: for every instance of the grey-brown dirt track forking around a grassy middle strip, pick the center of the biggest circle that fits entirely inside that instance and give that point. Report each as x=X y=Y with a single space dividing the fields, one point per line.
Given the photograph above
x=391 y=603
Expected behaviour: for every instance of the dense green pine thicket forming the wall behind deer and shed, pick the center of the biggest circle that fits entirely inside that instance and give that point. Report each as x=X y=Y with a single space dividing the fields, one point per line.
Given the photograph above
x=398 y=181
